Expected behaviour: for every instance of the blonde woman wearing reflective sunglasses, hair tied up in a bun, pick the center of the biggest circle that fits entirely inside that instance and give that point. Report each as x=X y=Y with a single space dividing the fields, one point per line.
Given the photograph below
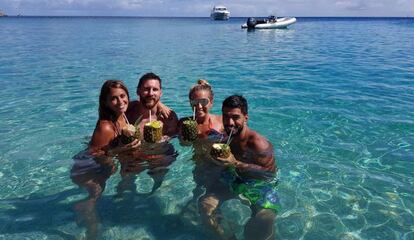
x=210 y=129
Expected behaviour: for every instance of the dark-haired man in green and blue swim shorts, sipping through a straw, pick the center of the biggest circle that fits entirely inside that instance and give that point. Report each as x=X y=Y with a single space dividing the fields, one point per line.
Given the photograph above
x=250 y=172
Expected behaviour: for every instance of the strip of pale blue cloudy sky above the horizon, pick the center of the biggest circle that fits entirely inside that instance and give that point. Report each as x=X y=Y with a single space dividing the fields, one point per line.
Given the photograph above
x=202 y=8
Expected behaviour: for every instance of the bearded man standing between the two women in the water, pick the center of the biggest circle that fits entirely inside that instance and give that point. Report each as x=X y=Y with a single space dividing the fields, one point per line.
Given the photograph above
x=156 y=158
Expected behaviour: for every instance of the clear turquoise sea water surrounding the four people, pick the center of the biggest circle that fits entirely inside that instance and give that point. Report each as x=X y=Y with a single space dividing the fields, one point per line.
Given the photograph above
x=335 y=97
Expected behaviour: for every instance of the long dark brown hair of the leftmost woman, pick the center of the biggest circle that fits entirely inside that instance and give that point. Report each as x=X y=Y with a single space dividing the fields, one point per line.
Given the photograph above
x=105 y=113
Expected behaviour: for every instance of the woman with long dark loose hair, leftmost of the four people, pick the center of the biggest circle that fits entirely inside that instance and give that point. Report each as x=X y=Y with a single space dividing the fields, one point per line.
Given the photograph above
x=93 y=167
